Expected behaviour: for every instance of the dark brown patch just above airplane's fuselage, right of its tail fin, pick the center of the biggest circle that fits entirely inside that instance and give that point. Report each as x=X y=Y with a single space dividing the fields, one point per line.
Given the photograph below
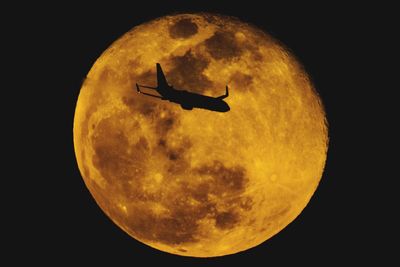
x=187 y=73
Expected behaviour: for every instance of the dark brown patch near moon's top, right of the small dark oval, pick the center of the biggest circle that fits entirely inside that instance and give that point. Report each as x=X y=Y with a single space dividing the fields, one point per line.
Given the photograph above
x=223 y=45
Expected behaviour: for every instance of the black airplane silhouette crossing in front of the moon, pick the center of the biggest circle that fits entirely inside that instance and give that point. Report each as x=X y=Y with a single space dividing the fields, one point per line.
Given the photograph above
x=186 y=99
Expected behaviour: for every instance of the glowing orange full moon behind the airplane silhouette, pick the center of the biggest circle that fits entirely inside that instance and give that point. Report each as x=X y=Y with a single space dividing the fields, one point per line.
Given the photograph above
x=197 y=182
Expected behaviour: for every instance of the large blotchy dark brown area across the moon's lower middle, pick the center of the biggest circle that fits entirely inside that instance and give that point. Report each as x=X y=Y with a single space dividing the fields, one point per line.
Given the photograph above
x=180 y=225
